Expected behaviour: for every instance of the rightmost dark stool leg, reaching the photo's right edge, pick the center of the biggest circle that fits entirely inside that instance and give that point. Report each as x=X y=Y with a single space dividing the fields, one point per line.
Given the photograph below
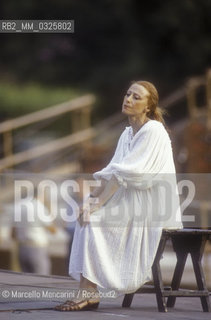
x=200 y=278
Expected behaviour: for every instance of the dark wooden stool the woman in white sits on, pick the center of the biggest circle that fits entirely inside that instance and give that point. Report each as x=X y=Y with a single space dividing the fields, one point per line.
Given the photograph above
x=184 y=241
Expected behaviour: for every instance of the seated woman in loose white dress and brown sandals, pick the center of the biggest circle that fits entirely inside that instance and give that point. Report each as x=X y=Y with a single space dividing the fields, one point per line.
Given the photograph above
x=137 y=198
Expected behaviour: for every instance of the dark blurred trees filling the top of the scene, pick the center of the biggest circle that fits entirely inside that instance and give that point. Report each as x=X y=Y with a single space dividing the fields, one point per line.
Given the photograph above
x=115 y=41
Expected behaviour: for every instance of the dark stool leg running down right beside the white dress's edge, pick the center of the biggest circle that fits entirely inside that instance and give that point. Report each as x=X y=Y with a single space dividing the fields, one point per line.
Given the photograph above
x=157 y=277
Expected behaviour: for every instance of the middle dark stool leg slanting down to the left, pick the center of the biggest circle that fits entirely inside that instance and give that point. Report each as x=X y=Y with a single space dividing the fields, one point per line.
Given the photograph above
x=181 y=260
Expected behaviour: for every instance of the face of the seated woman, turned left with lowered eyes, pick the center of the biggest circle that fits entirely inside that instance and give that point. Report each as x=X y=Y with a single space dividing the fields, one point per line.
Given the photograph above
x=135 y=101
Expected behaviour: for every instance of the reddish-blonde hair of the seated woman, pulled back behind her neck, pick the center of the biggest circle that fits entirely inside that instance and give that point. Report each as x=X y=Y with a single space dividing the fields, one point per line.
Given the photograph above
x=155 y=113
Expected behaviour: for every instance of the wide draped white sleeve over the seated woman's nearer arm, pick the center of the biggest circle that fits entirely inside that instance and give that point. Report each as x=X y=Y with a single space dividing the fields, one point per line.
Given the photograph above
x=150 y=155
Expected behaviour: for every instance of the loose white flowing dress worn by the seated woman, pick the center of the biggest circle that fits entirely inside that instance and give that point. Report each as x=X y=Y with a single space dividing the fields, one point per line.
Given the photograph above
x=117 y=247
